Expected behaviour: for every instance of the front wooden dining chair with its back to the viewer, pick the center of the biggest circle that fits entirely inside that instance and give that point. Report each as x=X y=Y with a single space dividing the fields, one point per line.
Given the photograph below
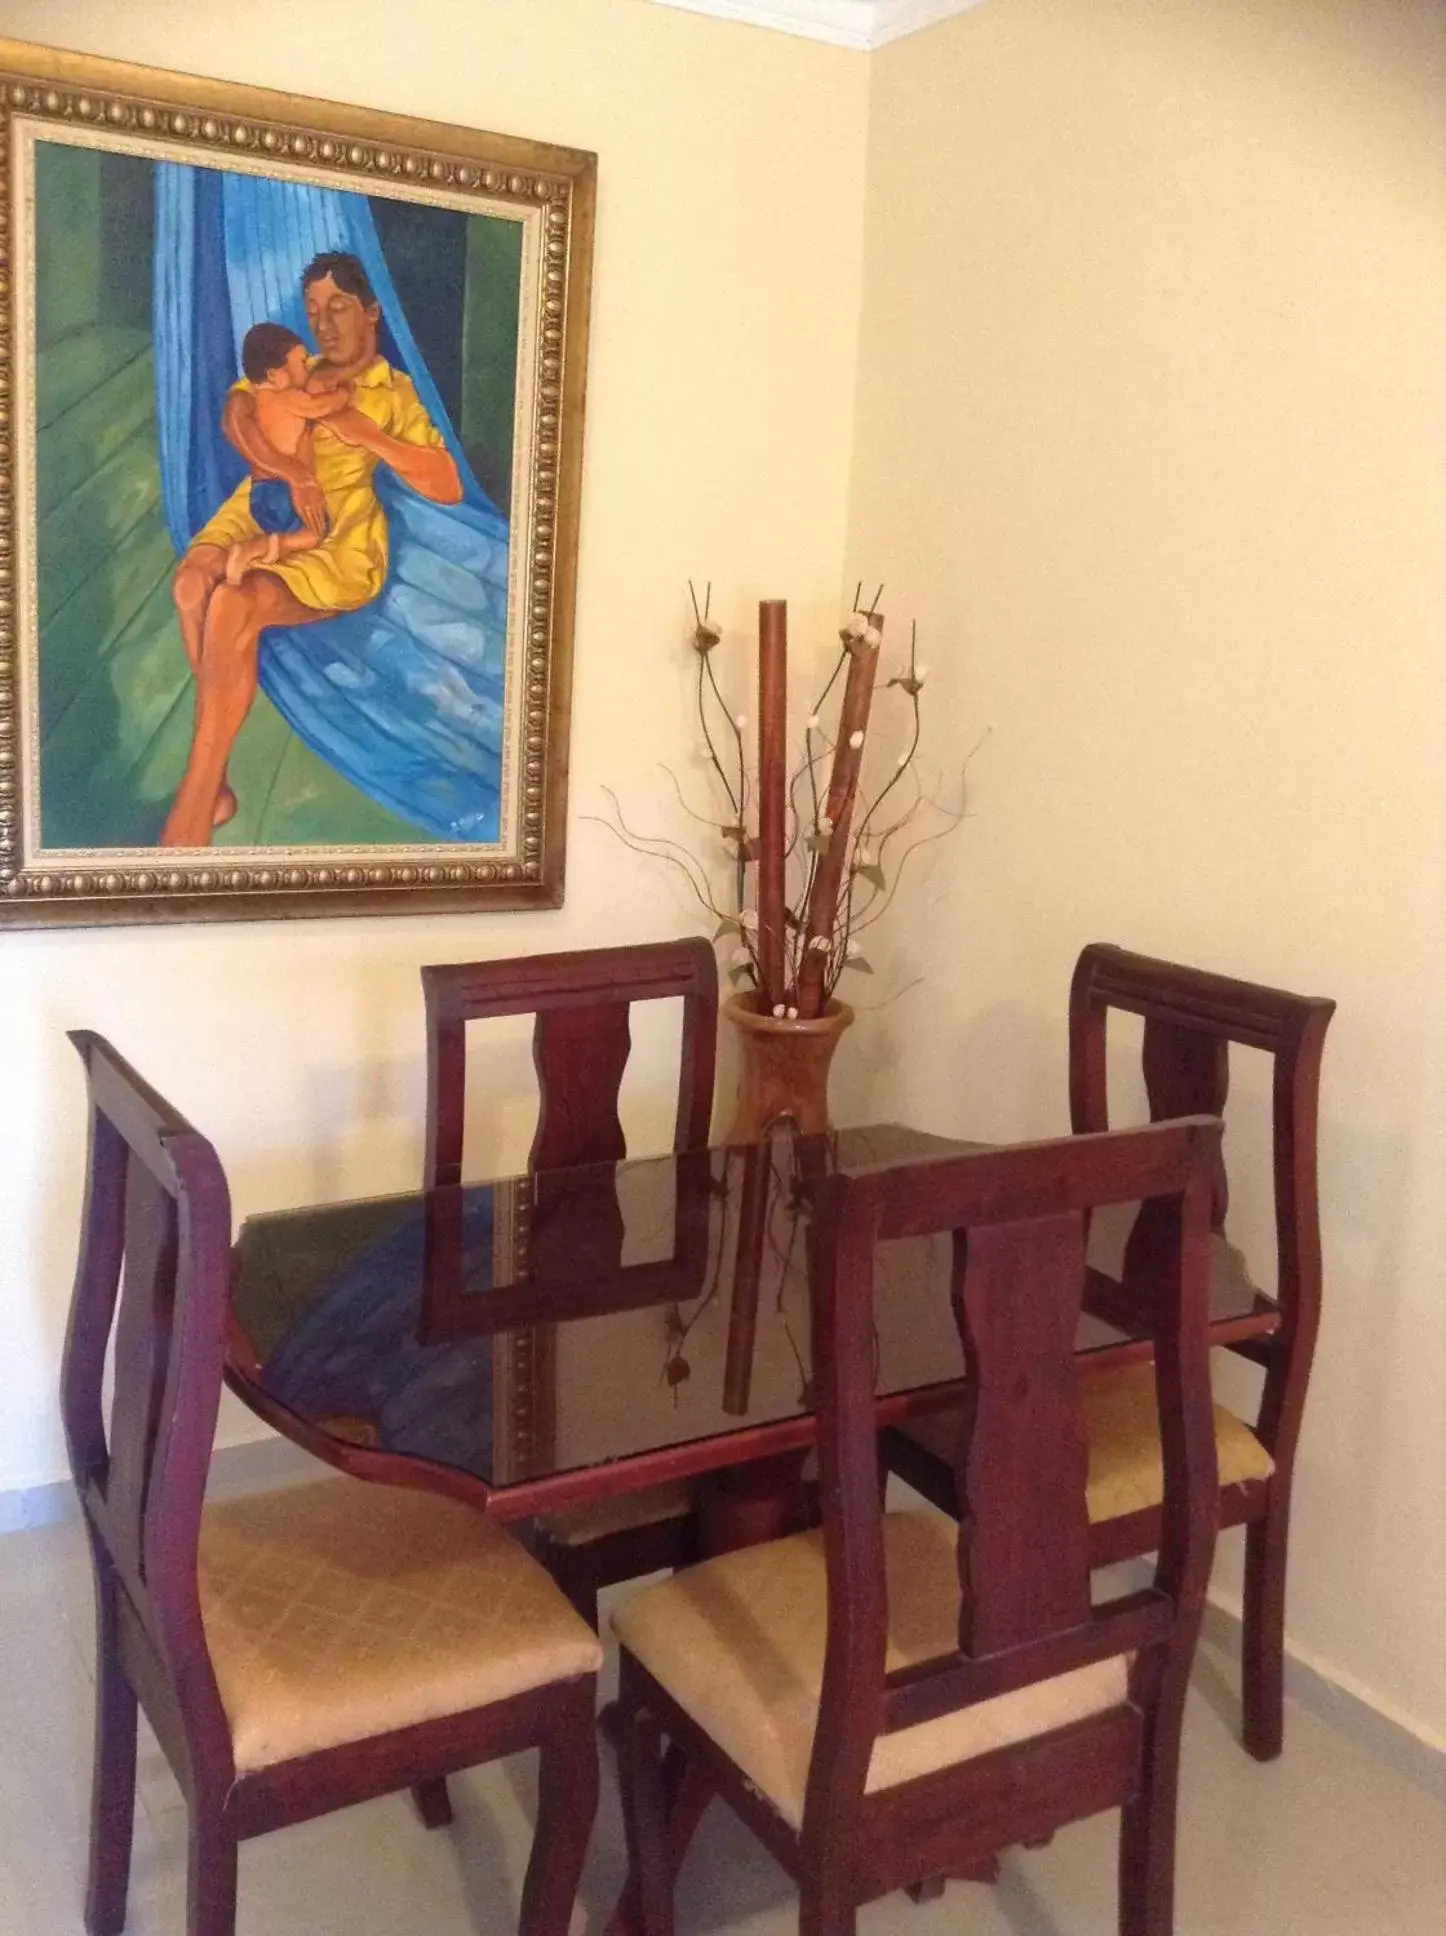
x=901 y=1697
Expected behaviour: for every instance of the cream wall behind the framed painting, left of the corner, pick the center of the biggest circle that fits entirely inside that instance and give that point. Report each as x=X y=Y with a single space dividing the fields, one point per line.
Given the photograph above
x=721 y=380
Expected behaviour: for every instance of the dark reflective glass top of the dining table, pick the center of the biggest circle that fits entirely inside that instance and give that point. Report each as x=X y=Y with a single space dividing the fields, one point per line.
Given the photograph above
x=541 y=1325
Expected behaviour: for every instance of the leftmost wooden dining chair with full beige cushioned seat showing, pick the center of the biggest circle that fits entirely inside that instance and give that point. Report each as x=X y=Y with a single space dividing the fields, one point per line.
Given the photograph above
x=299 y=1650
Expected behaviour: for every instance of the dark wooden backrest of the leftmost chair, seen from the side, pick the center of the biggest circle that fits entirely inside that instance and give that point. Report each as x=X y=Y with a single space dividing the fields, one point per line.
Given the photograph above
x=156 y=1267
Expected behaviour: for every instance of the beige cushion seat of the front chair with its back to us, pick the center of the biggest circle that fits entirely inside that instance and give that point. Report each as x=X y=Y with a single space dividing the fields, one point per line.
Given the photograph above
x=738 y=1643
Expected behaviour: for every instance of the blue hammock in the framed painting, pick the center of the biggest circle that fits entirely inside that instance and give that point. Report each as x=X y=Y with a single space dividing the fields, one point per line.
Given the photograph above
x=404 y=696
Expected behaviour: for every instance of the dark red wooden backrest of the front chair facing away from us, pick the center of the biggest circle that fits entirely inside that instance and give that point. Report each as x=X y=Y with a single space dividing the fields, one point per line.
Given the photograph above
x=1019 y=1225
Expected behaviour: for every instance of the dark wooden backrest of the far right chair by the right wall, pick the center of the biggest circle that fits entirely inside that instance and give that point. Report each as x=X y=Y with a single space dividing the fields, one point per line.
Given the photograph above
x=1190 y=1023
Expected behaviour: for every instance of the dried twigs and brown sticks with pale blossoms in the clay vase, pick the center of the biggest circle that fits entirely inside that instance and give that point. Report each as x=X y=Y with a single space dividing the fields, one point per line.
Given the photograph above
x=812 y=853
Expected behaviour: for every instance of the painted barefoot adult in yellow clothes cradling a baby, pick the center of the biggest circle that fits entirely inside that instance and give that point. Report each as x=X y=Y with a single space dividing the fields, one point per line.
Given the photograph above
x=222 y=624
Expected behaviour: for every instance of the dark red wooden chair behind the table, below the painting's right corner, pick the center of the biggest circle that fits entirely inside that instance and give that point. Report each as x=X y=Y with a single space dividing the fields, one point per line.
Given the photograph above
x=582 y=1041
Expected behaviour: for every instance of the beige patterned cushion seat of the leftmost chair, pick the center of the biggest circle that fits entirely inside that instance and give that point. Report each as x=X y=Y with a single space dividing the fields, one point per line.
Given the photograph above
x=338 y=1612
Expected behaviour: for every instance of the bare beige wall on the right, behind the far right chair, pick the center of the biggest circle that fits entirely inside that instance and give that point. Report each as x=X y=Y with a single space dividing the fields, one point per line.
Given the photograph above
x=1151 y=440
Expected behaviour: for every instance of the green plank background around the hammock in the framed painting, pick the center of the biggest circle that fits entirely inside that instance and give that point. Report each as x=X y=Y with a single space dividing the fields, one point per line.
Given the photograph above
x=115 y=688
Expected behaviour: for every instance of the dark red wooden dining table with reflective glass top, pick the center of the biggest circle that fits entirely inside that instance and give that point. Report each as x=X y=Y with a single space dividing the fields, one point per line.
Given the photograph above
x=568 y=1337
